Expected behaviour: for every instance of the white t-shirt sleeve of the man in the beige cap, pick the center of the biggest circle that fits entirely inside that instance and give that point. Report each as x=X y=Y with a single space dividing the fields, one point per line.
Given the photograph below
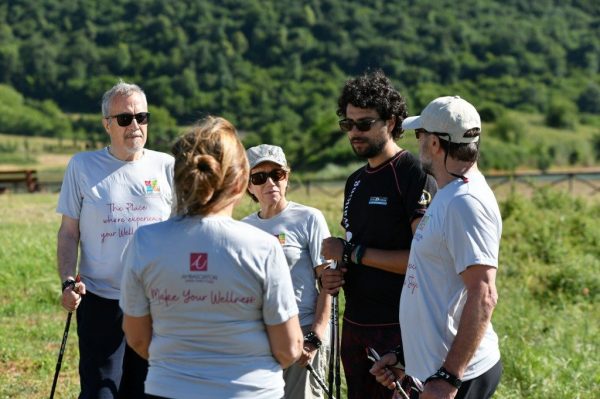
x=471 y=234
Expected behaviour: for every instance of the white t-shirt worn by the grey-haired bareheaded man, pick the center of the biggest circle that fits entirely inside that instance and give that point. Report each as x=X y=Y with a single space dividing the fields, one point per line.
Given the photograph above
x=111 y=199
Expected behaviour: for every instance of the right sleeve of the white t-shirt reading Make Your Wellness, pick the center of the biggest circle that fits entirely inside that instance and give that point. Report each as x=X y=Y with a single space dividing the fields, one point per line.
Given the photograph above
x=279 y=302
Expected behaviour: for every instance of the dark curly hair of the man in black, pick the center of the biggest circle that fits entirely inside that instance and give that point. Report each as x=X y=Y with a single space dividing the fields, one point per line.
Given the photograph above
x=375 y=91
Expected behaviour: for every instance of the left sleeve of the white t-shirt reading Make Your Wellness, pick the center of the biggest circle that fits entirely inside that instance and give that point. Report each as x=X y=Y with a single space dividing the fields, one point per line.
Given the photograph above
x=133 y=299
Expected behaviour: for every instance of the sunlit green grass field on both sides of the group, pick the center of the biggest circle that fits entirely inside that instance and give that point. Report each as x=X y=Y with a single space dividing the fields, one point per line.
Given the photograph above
x=547 y=316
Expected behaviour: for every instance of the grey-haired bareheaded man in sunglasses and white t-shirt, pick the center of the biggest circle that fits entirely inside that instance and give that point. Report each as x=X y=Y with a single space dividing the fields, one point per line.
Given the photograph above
x=106 y=195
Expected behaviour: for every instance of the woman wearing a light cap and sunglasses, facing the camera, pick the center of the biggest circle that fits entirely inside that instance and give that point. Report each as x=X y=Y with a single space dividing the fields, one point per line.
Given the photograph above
x=300 y=230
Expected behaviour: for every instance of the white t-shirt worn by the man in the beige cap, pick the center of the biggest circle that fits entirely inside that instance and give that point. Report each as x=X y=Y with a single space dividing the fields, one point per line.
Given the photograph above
x=462 y=227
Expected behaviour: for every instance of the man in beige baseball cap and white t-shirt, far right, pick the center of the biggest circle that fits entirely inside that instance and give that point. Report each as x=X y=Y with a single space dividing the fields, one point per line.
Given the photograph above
x=449 y=292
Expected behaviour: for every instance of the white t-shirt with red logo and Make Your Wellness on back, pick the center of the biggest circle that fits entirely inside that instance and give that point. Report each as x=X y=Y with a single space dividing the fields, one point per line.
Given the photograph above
x=211 y=285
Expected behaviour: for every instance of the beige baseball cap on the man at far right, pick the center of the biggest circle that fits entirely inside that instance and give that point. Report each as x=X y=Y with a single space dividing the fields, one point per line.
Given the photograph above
x=451 y=115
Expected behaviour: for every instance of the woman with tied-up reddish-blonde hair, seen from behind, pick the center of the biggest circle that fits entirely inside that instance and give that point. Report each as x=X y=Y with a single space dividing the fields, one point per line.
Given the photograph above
x=206 y=298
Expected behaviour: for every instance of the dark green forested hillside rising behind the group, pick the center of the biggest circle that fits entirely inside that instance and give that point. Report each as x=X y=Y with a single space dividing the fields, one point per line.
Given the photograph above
x=275 y=68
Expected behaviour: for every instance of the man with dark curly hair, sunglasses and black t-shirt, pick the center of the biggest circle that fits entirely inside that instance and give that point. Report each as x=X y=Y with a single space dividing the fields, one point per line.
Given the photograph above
x=383 y=204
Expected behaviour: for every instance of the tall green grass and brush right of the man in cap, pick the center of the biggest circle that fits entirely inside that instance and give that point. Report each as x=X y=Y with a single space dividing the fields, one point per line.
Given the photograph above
x=548 y=286
